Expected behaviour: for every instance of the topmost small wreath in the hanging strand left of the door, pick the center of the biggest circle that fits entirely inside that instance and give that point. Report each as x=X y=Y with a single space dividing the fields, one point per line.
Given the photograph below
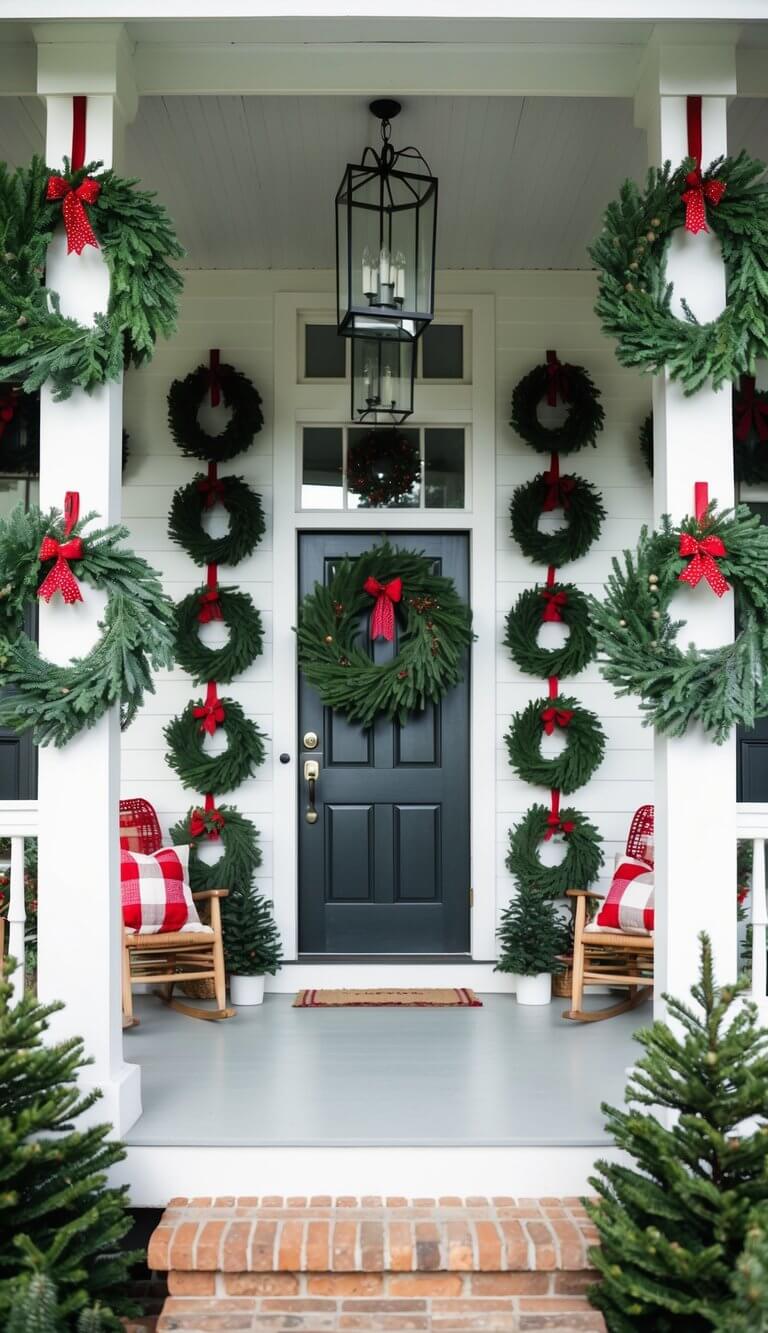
x=238 y=393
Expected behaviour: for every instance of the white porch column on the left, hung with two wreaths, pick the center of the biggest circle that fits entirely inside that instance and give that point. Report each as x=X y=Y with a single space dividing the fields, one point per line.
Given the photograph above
x=79 y=787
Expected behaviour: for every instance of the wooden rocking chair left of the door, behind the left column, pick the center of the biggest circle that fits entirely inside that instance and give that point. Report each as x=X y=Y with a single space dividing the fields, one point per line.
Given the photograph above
x=179 y=955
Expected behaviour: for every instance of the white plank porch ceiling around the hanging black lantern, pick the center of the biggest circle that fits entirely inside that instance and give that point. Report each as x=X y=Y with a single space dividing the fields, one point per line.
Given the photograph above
x=250 y=182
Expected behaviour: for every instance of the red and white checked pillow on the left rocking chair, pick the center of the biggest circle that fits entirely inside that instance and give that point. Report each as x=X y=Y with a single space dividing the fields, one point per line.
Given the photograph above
x=157 y=895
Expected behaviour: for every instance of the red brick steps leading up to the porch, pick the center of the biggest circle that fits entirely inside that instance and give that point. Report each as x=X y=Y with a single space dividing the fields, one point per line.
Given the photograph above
x=386 y=1266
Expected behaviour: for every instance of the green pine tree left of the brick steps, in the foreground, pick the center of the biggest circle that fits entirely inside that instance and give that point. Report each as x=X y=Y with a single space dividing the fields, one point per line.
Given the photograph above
x=55 y=1210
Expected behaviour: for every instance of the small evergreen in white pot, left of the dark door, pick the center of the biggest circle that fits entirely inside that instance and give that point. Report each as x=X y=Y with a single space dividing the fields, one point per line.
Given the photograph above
x=251 y=944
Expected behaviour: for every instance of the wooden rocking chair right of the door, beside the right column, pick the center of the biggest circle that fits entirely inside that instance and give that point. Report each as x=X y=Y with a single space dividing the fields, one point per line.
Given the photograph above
x=605 y=958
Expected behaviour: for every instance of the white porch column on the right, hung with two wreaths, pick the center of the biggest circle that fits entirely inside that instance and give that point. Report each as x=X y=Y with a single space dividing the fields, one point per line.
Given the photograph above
x=695 y=780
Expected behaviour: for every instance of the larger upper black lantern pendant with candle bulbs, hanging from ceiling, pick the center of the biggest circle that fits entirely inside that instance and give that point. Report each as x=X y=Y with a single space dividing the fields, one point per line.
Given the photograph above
x=386 y=222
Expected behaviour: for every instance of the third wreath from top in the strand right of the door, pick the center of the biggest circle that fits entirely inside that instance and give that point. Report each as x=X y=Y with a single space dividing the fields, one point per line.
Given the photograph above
x=525 y=622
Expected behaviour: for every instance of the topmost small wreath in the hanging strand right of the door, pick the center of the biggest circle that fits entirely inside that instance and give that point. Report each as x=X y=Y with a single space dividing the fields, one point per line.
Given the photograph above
x=586 y=415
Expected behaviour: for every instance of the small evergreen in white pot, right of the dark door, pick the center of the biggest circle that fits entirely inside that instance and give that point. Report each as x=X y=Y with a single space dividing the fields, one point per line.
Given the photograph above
x=533 y=936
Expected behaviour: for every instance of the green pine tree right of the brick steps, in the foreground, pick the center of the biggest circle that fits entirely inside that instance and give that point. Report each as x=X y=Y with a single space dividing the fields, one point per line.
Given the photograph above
x=673 y=1231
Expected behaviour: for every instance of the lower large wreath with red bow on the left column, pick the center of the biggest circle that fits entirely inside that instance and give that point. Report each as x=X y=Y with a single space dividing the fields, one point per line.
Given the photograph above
x=57 y=703
